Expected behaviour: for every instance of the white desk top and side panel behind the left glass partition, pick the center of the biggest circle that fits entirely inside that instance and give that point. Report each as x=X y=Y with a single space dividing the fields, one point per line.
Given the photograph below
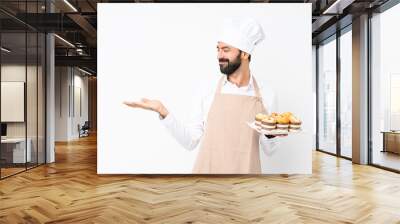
x=18 y=149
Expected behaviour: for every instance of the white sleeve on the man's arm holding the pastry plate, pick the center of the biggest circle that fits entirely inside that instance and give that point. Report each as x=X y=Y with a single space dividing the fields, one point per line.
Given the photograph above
x=268 y=145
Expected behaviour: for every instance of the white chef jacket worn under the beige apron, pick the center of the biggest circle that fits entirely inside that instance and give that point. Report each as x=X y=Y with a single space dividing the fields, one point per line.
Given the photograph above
x=190 y=134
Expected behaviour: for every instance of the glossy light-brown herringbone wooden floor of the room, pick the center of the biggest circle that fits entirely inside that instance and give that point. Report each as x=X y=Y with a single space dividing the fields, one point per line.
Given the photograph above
x=70 y=191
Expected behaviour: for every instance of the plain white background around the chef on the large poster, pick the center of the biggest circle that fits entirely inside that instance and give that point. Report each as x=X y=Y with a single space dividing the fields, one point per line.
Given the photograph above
x=168 y=52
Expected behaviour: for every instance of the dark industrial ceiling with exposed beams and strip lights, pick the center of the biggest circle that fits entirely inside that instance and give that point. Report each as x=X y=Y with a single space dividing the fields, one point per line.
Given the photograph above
x=76 y=22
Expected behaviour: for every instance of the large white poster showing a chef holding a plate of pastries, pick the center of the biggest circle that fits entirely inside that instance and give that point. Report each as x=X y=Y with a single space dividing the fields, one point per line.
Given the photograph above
x=172 y=55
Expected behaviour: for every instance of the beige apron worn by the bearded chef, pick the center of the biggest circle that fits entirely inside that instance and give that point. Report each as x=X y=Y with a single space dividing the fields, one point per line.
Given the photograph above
x=229 y=145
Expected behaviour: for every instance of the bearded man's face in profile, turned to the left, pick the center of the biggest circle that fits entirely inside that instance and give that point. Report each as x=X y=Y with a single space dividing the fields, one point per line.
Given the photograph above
x=229 y=58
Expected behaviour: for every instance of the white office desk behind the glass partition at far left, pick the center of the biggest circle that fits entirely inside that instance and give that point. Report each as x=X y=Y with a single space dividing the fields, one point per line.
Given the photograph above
x=13 y=150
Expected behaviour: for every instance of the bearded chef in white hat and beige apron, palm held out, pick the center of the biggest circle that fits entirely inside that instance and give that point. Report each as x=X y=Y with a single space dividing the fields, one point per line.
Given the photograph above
x=227 y=144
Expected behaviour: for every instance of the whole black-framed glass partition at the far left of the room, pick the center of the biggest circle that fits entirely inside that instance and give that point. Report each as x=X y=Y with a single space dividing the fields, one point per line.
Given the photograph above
x=22 y=67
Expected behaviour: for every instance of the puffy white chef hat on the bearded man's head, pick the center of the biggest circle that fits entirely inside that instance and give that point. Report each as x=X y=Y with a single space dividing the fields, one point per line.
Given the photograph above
x=242 y=33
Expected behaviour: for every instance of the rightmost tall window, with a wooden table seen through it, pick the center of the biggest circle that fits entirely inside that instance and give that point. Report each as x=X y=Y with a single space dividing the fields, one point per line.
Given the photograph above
x=385 y=89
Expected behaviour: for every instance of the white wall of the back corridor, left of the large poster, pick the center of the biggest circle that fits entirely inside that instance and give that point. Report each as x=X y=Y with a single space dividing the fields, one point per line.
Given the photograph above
x=68 y=82
